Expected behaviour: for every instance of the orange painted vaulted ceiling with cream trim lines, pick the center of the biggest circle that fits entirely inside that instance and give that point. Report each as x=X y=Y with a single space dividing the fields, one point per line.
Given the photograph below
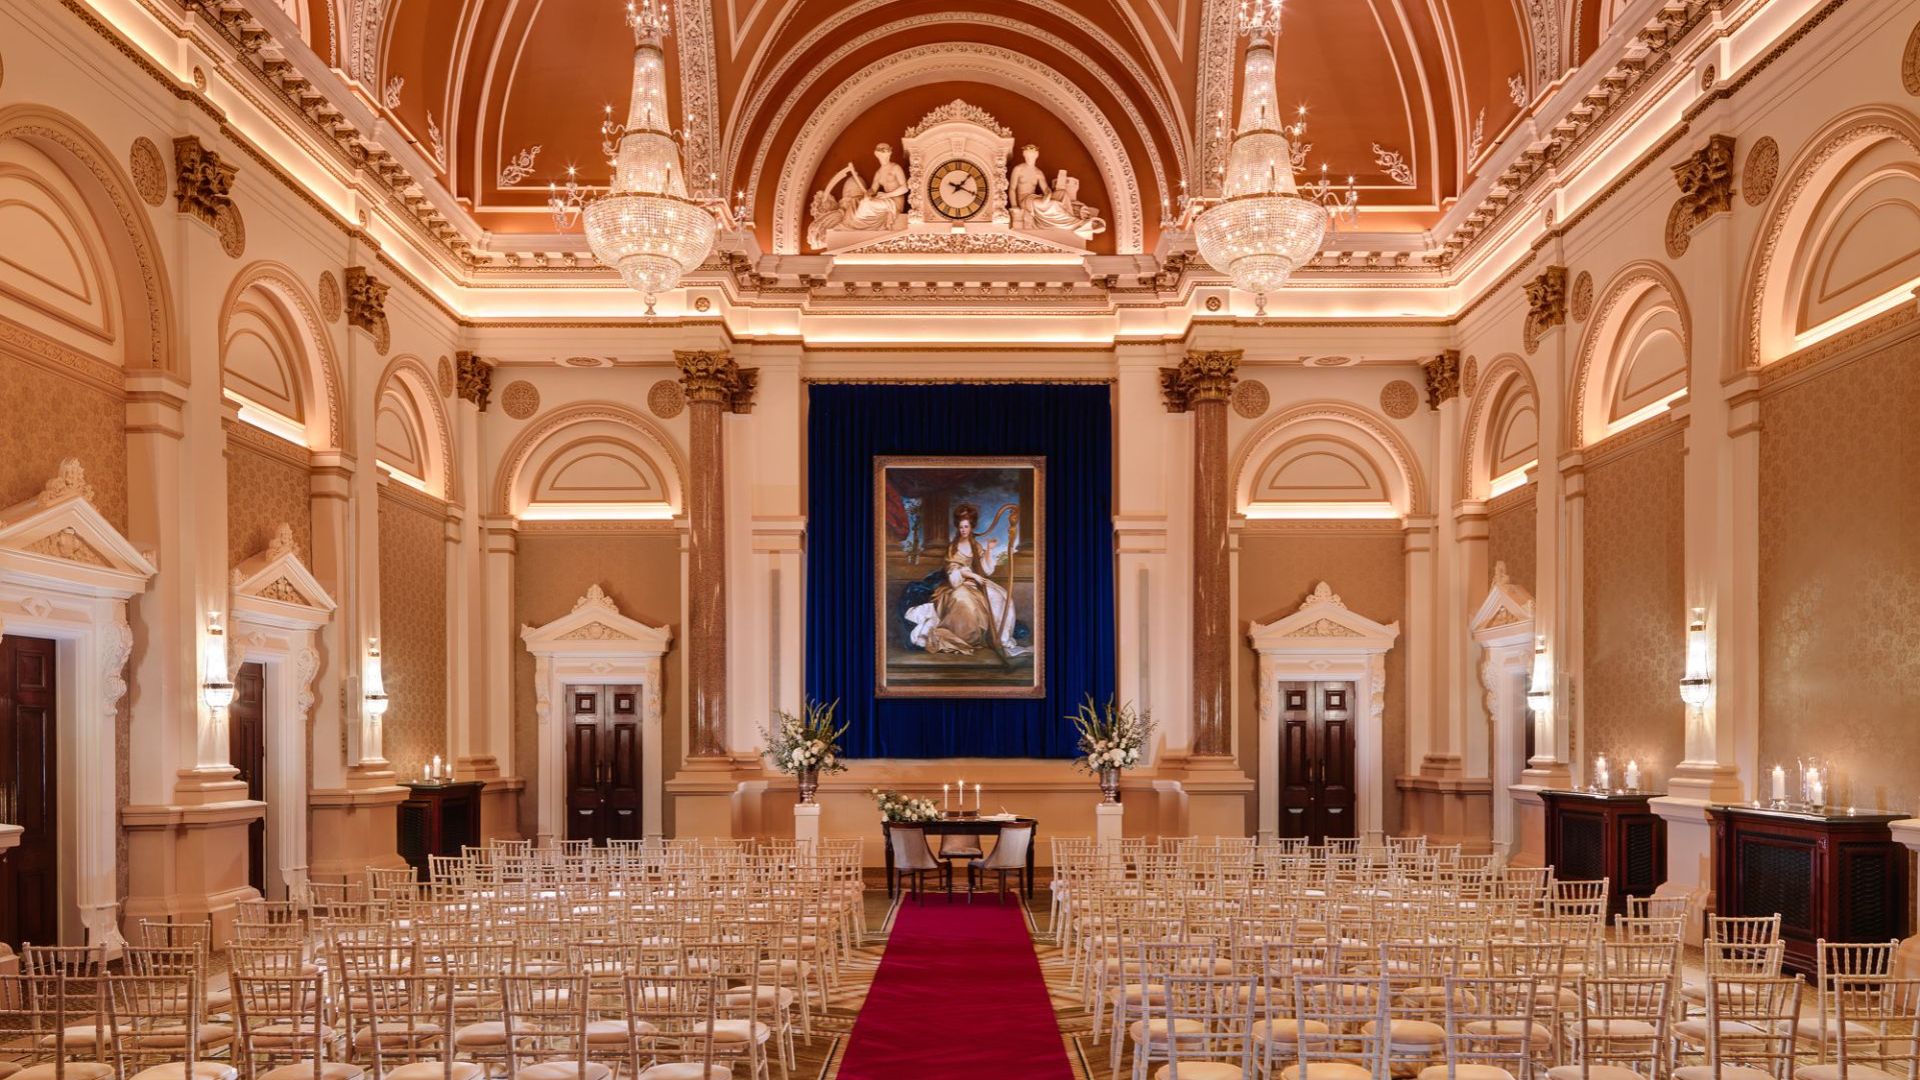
x=489 y=86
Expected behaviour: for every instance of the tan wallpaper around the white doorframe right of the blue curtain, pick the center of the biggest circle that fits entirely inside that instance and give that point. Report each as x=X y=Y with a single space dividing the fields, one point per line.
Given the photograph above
x=1368 y=570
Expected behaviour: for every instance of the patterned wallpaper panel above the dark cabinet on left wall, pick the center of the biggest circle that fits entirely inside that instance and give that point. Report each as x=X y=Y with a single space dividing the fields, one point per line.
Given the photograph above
x=414 y=631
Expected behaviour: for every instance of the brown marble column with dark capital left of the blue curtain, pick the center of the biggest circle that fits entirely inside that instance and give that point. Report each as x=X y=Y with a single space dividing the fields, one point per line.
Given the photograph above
x=715 y=387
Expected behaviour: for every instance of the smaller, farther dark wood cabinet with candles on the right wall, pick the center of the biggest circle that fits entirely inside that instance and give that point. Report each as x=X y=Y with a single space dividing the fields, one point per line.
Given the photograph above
x=1614 y=837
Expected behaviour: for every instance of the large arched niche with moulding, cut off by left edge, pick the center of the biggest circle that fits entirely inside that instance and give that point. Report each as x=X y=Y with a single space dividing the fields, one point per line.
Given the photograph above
x=91 y=276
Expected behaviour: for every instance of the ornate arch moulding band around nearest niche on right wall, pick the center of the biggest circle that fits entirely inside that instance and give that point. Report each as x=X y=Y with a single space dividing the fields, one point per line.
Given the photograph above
x=1858 y=130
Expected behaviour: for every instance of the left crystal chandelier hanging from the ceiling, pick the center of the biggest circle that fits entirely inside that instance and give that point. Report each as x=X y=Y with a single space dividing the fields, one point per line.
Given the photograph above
x=644 y=226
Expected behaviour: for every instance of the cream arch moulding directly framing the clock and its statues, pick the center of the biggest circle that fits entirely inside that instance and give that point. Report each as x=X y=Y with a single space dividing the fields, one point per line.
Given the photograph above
x=942 y=62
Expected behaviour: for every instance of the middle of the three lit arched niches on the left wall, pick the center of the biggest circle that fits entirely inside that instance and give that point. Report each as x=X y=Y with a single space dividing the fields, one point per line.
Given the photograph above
x=279 y=360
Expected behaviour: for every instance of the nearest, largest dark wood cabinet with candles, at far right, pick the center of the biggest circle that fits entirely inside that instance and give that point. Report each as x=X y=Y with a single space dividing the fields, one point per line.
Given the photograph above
x=1829 y=875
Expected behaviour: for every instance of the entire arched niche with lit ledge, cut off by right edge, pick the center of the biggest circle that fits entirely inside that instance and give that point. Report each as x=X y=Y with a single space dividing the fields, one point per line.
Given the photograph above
x=1840 y=239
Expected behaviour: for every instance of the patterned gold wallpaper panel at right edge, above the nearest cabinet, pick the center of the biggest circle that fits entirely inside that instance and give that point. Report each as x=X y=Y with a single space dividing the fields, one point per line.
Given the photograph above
x=1840 y=576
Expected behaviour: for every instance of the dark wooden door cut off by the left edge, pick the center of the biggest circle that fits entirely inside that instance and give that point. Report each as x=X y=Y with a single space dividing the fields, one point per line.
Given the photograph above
x=30 y=791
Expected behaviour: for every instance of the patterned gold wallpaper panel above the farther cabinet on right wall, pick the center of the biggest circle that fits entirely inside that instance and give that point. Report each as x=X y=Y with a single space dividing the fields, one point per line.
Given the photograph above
x=1637 y=610
